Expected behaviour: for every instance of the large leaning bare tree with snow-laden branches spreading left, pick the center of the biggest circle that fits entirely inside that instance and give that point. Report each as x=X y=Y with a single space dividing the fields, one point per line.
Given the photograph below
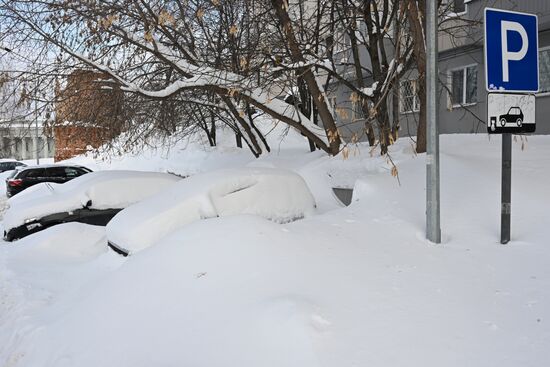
x=207 y=45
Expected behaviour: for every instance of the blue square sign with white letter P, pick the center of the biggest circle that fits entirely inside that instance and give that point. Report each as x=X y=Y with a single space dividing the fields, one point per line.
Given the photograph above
x=511 y=51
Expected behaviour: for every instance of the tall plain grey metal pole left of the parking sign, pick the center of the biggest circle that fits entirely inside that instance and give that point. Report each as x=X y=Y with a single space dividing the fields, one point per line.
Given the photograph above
x=433 y=226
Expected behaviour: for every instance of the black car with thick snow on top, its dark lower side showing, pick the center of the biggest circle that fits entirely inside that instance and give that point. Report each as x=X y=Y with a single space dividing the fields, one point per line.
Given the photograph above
x=93 y=198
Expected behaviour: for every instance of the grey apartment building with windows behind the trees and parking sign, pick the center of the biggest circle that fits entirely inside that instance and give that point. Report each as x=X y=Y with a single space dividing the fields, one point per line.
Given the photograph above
x=462 y=94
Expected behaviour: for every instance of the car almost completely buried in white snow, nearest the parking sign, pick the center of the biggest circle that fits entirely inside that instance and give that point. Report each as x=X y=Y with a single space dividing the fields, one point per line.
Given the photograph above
x=278 y=195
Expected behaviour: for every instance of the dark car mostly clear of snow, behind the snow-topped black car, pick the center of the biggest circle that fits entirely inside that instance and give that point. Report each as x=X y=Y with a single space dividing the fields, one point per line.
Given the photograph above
x=29 y=176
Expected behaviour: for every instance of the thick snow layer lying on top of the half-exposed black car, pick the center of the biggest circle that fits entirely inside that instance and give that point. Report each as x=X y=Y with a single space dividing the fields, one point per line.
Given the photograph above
x=105 y=190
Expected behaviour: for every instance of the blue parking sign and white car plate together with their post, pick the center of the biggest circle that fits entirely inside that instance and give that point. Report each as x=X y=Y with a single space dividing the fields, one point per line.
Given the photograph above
x=511 y=66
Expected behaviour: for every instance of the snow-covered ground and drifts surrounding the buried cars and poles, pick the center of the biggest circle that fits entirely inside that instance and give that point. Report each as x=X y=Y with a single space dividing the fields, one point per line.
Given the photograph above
x=349 y=286
